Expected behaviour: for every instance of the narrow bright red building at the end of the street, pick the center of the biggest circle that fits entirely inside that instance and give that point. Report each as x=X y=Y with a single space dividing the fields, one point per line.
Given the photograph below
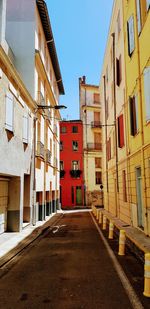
x=71 y=163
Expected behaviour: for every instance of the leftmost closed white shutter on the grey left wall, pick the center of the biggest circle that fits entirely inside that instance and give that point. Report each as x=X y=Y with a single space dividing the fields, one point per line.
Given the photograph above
x=9 y=111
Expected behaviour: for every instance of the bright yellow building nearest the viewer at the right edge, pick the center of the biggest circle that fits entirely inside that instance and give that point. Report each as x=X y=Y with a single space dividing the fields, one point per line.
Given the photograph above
x=137 y=66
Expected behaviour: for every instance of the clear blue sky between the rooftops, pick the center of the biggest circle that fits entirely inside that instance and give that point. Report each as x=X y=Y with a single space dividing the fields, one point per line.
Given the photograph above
x=80 y=29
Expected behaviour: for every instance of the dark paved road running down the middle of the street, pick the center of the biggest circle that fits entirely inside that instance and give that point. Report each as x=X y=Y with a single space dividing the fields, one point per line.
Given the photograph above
x=68 y=268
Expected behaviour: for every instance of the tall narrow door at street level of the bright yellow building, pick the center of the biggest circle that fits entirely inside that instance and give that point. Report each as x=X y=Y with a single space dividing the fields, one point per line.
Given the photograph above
x=139 y=197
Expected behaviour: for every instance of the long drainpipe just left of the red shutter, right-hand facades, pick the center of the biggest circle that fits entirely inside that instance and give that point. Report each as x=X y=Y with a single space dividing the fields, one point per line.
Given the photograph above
x=115 y=122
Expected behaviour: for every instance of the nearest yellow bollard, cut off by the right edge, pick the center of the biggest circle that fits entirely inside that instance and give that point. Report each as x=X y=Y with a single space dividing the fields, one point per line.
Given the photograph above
x=147 y=275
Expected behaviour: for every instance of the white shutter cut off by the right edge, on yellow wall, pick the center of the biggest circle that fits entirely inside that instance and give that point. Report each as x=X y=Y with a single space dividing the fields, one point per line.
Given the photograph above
x=147 y=91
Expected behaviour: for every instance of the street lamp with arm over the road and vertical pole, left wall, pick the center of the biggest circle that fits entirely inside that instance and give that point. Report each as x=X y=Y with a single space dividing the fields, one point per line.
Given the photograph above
x=56 y=107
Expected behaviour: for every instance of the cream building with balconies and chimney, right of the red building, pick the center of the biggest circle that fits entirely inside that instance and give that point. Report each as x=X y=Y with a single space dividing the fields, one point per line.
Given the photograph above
x=90 y=114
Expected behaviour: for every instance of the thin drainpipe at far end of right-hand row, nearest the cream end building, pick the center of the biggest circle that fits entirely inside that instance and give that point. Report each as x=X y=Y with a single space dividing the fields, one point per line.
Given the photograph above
x=104 y=79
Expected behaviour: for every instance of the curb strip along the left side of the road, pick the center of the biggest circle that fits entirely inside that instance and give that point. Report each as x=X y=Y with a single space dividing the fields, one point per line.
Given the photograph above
x=39 y=231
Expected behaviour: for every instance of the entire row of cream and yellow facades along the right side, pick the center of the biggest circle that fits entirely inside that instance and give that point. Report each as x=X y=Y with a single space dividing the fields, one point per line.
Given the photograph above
x=126 y=106
